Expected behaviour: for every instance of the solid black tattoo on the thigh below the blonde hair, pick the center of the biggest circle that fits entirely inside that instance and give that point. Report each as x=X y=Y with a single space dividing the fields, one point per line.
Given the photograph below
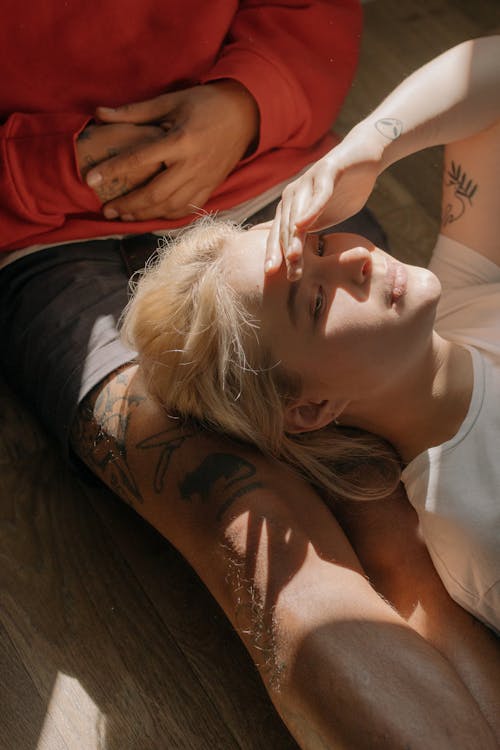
x=234 y=472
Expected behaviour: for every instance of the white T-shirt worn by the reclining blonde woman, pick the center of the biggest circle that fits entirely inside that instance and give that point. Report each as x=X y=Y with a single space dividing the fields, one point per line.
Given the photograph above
x=455 y=487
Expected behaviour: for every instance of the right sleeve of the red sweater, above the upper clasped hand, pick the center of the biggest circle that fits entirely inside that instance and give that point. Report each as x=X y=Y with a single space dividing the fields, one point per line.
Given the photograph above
x=297 y=59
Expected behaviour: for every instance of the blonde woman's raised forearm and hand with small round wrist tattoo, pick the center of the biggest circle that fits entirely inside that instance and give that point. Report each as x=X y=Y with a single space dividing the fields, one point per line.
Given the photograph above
x=453 y=97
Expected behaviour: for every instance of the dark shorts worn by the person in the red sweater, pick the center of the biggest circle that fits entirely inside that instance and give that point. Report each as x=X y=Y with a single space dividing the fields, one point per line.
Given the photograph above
x=59 y=313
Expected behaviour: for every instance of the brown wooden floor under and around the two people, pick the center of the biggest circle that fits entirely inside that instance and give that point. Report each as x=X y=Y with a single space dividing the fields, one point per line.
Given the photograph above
x=107 y=640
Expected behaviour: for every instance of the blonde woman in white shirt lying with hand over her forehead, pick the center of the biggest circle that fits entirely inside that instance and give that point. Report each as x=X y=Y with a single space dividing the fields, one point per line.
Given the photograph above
x=345 y=335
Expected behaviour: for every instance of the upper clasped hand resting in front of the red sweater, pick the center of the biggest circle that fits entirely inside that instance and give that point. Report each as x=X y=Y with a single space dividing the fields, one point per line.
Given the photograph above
x=205 y=131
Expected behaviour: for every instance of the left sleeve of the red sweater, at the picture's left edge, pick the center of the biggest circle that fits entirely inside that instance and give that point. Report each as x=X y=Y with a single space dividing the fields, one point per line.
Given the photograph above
x=39 y=179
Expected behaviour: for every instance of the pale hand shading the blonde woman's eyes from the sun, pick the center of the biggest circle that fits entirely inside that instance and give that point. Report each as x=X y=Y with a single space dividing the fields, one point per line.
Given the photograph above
x=333 y=189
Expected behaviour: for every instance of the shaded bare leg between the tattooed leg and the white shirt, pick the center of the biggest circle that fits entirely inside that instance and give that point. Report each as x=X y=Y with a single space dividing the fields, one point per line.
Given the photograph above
x=386 y=538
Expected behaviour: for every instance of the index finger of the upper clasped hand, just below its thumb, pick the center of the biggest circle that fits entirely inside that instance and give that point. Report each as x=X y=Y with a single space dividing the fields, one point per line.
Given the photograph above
x=149 y=153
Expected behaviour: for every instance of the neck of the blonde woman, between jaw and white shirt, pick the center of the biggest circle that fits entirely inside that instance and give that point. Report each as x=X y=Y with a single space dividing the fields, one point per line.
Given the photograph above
x=426 y=407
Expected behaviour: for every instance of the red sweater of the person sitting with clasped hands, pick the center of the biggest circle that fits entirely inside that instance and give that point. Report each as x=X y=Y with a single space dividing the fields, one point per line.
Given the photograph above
x=61 y=59
